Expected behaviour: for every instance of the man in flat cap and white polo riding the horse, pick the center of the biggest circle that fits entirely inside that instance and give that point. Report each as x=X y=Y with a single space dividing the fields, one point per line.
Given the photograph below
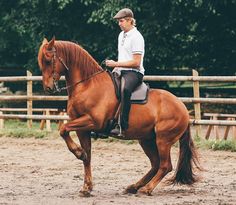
x=129 y=64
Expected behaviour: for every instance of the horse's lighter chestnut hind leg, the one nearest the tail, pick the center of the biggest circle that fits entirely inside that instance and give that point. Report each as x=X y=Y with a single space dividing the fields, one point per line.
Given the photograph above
x=165 y=166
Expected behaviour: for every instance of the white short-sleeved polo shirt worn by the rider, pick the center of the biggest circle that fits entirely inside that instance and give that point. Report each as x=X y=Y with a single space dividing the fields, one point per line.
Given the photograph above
x=130 y=43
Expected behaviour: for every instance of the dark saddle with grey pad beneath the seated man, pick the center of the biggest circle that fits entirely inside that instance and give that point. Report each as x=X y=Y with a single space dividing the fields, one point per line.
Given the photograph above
x=140 y=94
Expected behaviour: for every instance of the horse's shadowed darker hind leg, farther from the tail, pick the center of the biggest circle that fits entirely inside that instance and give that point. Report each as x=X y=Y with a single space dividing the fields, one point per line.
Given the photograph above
x=150 y=149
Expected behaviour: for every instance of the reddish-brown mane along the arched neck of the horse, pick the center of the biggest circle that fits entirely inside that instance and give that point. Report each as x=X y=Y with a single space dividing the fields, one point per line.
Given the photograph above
x=76 y=57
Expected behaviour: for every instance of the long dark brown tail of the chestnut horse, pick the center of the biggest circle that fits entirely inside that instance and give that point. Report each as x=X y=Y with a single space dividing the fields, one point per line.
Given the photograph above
x=187 y=158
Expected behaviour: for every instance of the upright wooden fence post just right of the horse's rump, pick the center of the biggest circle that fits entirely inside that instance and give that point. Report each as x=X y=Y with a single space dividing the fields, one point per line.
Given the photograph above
x=197 y=106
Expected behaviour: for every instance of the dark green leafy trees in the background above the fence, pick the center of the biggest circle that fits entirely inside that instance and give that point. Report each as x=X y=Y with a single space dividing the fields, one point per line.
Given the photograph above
x=179 y=35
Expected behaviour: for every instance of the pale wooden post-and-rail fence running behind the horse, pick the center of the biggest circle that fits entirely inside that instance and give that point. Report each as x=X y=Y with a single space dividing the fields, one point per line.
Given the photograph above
x=196 y=99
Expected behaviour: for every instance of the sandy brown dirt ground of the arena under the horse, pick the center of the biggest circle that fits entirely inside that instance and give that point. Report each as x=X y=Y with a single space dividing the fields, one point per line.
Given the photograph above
x=43 y=171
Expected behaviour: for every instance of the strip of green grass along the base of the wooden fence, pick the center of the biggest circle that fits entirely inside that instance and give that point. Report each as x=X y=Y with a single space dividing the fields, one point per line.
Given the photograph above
x=18 y=129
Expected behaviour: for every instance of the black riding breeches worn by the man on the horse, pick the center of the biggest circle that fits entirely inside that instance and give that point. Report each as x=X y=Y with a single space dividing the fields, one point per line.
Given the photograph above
x=130 y=80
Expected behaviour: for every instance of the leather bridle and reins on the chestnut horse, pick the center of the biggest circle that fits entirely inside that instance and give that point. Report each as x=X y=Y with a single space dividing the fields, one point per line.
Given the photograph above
x=55 y=74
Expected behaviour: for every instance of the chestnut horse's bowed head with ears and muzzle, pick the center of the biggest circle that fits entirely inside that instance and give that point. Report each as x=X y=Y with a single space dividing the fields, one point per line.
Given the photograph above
x=51 y=65
